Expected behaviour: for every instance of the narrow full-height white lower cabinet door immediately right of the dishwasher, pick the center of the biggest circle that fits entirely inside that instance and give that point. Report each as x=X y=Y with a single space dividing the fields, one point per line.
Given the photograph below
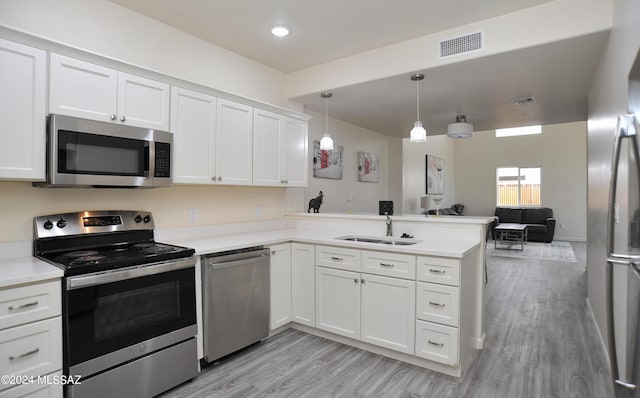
x=280 y=285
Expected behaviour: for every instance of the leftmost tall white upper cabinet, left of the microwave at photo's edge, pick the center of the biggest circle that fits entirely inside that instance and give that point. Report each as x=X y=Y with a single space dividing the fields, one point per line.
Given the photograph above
x=22 y=111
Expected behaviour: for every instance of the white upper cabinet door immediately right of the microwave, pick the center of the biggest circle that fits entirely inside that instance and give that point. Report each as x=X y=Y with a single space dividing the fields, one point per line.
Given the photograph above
x=193 y=124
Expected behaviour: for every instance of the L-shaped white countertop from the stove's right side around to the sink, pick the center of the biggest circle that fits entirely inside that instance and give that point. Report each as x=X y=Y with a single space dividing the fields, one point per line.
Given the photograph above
x=430 y=246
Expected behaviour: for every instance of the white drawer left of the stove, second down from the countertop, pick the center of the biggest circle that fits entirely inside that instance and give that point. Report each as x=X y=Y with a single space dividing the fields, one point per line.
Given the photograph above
x=33 y=349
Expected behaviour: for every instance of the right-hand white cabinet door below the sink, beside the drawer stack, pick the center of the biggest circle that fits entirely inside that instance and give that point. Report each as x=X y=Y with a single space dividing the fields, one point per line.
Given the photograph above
x=388 y=312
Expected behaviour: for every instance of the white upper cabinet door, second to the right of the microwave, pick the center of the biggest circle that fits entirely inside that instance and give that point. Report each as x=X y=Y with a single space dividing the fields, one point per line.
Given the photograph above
x=234 y=143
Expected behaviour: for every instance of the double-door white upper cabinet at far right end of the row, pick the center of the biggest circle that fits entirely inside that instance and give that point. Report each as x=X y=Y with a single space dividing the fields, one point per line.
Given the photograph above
x=279 y=150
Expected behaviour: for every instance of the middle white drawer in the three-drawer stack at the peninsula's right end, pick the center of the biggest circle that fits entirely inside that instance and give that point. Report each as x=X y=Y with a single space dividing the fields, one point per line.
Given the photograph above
x=438 y=303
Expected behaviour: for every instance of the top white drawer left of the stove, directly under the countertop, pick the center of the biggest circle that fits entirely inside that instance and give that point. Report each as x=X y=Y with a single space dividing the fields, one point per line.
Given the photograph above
x=29 y=303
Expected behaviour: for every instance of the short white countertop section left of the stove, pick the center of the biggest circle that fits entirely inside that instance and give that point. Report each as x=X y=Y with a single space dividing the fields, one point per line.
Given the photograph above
x=19 y=270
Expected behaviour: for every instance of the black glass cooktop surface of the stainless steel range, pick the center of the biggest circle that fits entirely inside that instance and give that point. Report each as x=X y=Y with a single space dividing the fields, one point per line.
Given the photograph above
x=88 y=260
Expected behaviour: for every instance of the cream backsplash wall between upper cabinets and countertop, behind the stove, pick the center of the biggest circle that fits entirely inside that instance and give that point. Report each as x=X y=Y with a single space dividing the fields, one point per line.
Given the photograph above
x=20 y=203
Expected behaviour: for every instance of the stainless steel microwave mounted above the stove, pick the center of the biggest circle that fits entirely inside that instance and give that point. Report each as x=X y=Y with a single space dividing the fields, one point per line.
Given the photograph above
x=87 y=153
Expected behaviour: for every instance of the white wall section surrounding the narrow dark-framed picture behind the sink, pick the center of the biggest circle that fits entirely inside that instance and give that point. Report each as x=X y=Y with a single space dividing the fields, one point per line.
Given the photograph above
x=414 y=171
